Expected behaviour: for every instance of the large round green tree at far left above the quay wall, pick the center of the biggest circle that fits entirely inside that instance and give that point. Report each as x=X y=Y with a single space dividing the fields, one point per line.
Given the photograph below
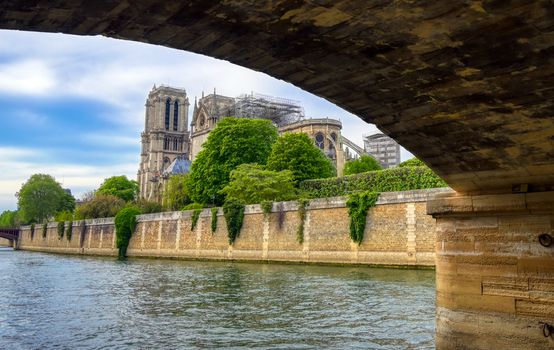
x=40 y=198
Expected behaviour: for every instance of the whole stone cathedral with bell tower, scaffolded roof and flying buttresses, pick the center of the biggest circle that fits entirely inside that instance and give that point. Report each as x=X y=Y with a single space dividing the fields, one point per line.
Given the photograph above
x=168 y=146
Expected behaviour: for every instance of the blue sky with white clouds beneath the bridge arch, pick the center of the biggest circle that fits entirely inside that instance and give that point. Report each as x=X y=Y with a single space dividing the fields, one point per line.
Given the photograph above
x=73 y=107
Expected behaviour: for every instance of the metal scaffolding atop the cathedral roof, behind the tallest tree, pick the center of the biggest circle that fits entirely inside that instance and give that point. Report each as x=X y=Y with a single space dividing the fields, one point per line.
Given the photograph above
x=280 y=111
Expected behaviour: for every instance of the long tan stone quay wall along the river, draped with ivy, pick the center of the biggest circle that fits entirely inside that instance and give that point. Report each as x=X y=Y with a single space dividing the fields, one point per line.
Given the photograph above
x=398 y=232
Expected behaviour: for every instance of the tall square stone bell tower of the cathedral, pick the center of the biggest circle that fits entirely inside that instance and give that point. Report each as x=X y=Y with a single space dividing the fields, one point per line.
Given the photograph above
x=165 y=138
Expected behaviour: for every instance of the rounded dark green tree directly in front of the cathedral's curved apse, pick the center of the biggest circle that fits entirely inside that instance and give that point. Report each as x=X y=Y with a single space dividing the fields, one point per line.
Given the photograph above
x=296 y=152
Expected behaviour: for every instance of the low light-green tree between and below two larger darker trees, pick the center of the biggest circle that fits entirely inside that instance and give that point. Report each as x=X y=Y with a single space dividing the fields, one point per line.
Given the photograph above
x=251 y=183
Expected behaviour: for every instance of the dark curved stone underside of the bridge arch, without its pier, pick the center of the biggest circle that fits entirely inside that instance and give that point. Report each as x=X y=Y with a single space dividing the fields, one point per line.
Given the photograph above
x=464 y=85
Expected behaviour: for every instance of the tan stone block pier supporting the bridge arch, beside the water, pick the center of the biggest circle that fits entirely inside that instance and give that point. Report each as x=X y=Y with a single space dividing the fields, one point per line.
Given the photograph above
x=494 y=270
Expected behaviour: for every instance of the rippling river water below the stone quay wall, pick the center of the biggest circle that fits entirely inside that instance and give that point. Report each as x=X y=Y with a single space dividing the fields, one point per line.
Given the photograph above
x=69 y=302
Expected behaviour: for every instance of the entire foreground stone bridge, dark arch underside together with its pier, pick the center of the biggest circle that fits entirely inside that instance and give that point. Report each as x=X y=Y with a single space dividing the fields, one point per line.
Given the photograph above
x=467 y=86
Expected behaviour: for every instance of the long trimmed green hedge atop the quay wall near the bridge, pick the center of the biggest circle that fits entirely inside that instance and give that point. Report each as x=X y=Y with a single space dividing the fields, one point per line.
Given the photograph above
x=395 y=179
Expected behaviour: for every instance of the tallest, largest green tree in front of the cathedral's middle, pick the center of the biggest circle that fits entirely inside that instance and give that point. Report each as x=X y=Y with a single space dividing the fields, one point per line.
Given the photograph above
x=234 y=141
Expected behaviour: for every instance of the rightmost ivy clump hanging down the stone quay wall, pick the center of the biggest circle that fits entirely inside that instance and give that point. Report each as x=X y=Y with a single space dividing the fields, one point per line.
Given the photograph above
x=358 y=205
